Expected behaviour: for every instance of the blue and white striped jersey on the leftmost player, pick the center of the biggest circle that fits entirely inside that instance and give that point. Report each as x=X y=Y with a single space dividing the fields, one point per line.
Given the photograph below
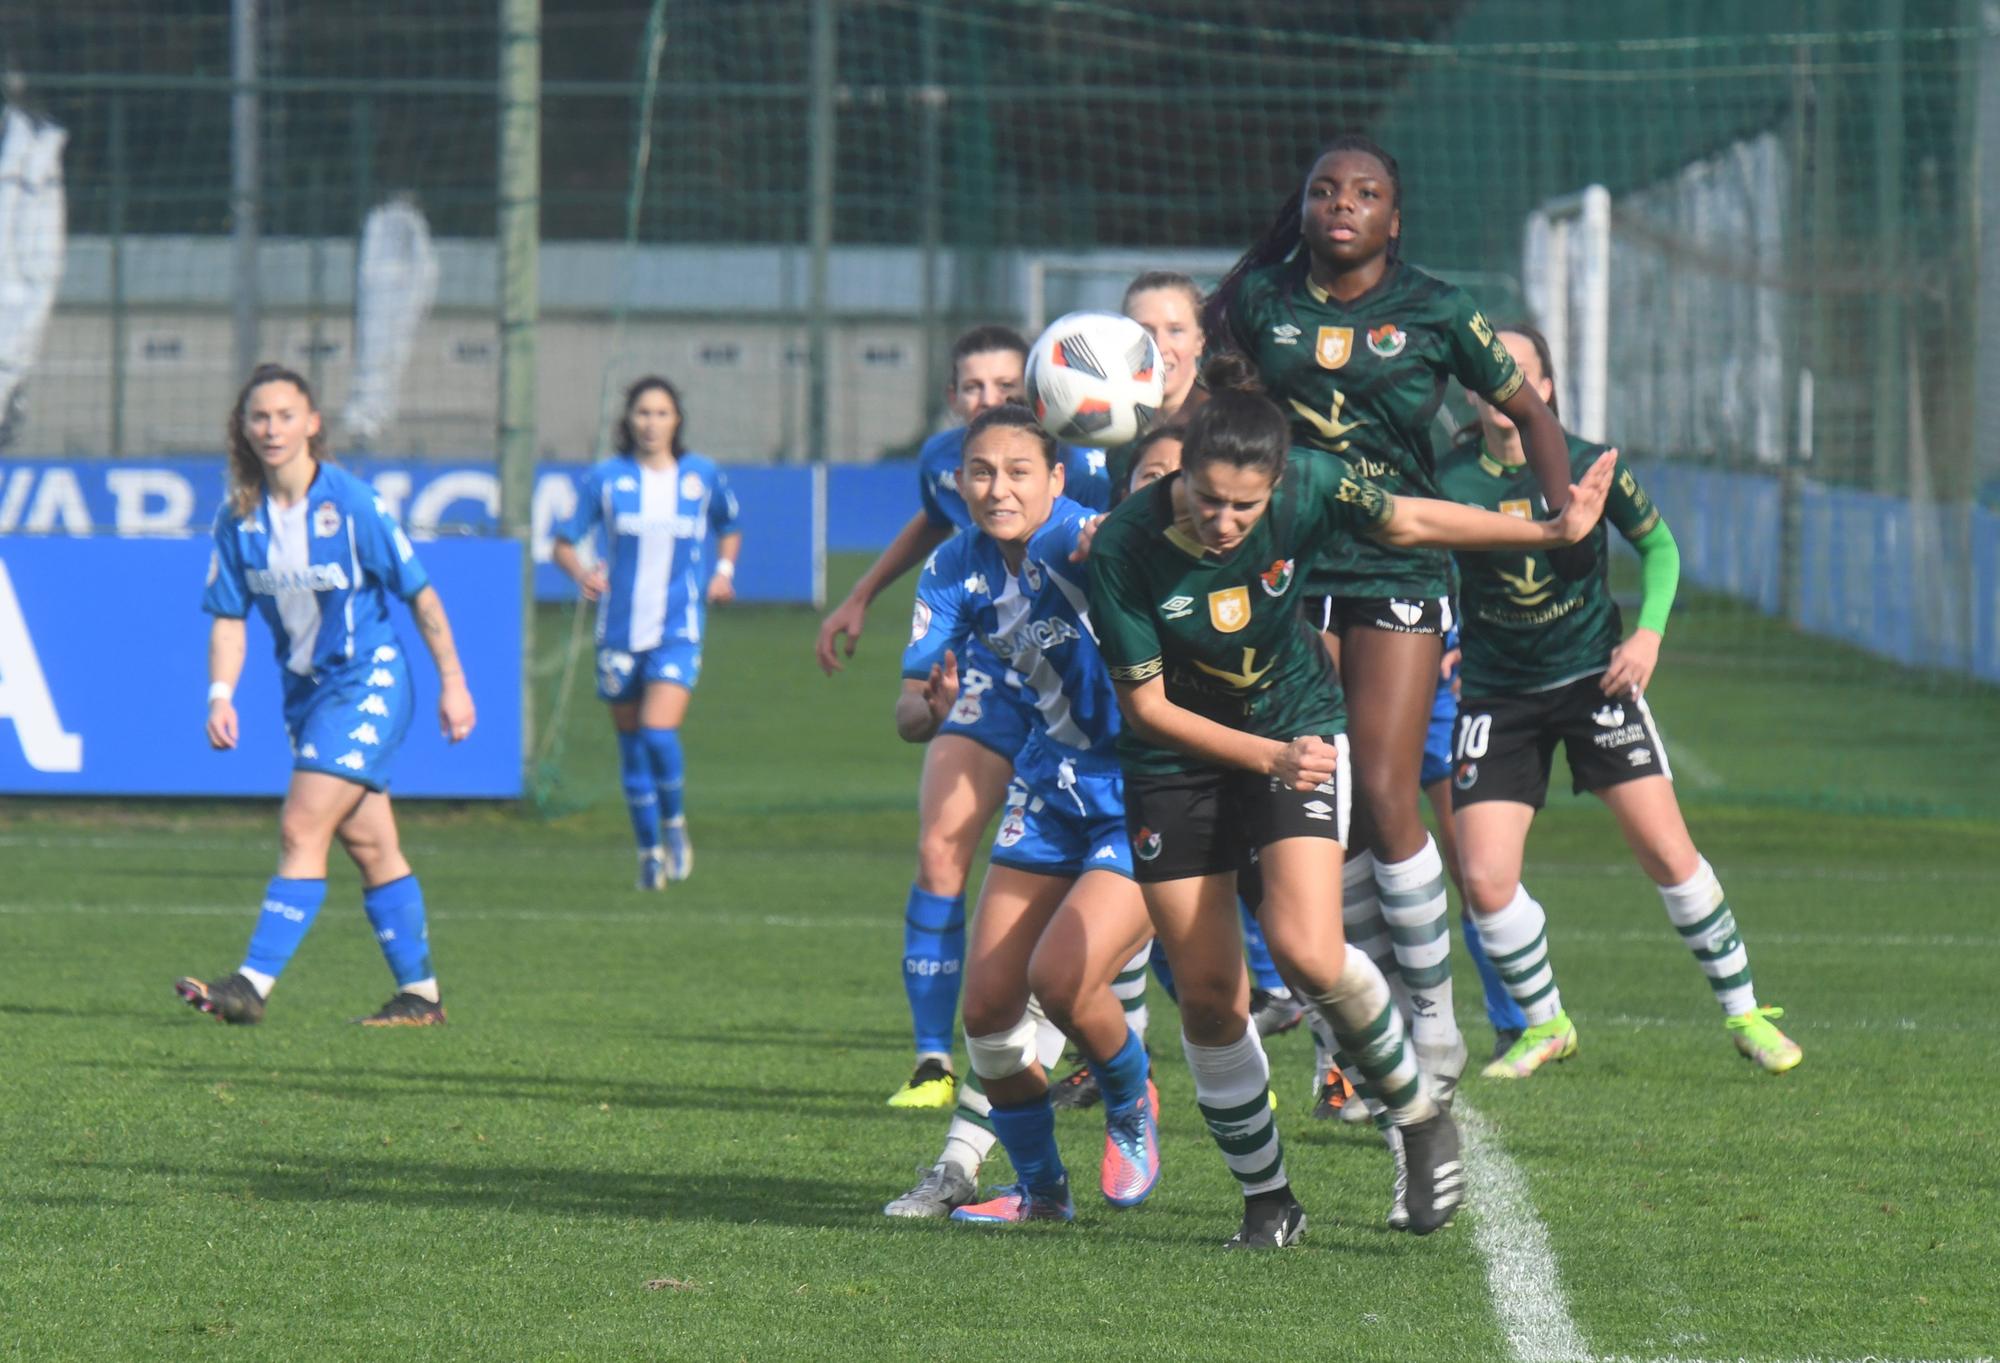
x=321 y=573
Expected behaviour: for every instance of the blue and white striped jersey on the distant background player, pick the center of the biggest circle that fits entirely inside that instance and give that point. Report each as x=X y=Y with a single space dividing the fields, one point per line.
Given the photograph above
x=661 y=531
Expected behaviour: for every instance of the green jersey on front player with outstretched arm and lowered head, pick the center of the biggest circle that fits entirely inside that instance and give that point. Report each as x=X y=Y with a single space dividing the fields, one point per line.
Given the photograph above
x=1225 y=631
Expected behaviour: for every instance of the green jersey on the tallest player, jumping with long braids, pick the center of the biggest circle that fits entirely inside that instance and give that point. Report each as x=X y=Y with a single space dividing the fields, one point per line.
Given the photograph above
x=1365 y=381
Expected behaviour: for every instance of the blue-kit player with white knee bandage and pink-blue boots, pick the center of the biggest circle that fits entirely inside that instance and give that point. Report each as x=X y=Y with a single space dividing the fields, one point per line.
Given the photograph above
x=1059 y=914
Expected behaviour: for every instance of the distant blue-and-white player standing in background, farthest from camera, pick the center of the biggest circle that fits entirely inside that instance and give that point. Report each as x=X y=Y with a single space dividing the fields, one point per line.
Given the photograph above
x=669 y=525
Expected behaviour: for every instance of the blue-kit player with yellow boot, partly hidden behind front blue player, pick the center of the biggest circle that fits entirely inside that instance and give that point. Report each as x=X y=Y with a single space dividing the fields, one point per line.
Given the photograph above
x=969 y=764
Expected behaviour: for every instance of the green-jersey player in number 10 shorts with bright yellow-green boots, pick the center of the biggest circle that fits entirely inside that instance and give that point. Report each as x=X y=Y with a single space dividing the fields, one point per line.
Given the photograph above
x=1545 y=663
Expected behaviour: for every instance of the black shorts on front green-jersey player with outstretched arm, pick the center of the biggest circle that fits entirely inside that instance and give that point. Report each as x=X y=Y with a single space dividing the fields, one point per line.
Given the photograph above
x=1209 y=822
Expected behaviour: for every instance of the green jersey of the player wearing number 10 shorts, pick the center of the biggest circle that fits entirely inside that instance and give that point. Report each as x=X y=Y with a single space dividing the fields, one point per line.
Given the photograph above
x=1525 y=629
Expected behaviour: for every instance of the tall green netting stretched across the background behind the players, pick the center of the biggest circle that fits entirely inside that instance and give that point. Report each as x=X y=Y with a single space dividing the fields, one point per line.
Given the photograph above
x=1791 y=257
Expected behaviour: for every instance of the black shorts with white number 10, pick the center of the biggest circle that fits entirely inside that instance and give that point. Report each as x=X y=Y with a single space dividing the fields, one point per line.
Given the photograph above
x=1505 y=744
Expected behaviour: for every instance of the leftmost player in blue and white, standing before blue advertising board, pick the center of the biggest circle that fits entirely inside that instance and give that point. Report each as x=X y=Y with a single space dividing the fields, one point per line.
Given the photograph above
x=313 y=551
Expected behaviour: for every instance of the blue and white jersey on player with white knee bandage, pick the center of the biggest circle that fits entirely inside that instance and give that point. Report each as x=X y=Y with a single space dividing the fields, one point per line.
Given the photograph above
x=1035 y=621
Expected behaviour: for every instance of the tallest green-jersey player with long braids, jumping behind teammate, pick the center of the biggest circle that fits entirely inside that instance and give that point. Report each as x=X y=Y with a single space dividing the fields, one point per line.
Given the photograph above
x=1357 y=347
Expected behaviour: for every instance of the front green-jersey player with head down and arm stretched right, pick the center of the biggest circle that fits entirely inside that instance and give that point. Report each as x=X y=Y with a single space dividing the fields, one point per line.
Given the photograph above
x=1235 y=746
